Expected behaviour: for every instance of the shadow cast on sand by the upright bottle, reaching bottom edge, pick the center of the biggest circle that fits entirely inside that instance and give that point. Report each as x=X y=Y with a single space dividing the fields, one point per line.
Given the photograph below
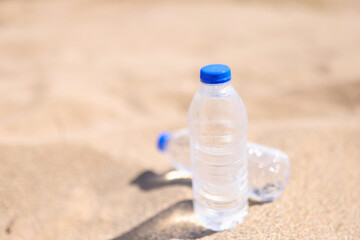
x=178 y=221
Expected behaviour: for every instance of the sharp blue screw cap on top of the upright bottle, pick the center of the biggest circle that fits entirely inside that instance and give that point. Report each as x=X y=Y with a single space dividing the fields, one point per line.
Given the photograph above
x=215 y=74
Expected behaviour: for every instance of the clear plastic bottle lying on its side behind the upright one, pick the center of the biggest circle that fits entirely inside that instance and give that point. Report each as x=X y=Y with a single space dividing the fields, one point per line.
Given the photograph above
x=268 y=168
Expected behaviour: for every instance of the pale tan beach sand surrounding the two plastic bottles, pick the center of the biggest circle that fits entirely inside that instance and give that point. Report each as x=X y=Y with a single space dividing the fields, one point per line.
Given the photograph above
x=86 y=86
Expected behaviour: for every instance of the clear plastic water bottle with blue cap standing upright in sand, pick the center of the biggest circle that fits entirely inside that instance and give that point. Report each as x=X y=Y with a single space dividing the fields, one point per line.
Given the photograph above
x=217 y=128
